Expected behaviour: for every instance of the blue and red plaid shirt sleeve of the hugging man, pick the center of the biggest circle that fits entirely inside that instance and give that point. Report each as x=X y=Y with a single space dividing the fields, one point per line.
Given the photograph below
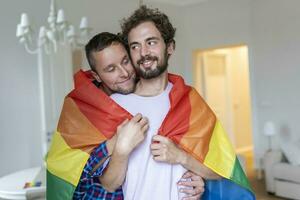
x=89 y=186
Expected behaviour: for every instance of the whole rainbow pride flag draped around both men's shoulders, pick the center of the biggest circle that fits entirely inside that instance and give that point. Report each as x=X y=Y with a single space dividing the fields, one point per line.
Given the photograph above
x=90 y=117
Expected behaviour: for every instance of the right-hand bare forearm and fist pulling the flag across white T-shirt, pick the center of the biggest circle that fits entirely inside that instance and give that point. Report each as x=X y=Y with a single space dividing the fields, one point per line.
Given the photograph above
x=164 y=150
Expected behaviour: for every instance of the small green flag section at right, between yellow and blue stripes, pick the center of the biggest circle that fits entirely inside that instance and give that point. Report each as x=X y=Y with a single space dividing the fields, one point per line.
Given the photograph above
x=239 y=176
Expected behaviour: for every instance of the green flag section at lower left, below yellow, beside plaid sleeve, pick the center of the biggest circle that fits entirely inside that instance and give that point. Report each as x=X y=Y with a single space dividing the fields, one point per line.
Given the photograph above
x=58 y=189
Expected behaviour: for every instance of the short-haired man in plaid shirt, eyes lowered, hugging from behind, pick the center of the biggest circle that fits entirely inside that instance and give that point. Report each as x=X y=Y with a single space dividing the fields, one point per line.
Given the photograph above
x=114 y=73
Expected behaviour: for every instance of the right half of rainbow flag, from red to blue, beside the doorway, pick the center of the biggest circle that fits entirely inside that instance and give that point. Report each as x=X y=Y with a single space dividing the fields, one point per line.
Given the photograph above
x=194 y=127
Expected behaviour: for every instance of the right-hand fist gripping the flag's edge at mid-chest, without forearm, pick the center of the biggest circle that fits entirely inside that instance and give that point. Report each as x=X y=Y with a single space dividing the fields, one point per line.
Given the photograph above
x=164 y=150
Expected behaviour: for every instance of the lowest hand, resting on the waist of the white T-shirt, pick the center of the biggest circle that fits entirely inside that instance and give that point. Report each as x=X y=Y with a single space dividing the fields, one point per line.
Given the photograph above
x=194 y=186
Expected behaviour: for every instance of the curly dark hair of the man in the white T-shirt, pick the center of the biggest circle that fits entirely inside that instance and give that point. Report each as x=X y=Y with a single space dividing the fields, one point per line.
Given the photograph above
x=144 y=14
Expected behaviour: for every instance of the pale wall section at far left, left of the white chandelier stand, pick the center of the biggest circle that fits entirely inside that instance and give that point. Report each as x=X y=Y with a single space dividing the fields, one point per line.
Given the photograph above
x=19 y=119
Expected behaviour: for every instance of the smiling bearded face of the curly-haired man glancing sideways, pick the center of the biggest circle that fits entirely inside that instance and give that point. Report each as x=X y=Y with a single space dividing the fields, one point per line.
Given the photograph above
x=148 y=50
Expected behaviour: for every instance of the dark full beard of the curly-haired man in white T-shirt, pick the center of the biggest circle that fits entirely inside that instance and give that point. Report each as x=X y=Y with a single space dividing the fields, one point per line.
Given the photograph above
x=152 y=73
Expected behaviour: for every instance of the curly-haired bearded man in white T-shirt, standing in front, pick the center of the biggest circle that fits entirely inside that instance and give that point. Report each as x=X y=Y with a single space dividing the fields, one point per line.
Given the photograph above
x=156 y=165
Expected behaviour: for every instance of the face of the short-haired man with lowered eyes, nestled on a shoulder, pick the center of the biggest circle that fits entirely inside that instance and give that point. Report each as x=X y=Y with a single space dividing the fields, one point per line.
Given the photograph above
x=114 y=69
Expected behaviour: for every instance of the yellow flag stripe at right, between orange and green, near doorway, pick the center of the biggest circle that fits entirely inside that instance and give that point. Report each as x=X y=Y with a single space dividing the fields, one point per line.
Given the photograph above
x=220 y=156
